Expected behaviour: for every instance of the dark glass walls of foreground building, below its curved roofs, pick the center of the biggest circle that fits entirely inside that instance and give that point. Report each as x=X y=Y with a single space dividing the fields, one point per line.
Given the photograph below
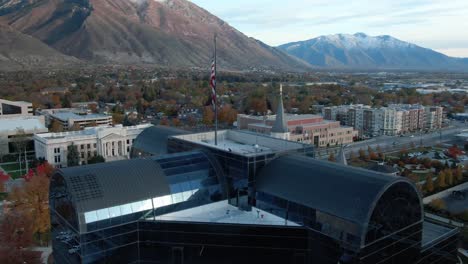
x=141 y=231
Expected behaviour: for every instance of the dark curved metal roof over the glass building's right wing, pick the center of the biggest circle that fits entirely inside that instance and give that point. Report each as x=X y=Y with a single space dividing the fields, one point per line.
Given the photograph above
x=345 y=192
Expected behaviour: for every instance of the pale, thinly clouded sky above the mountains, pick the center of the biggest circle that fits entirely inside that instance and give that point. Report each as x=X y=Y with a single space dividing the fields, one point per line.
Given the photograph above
x=441 y=25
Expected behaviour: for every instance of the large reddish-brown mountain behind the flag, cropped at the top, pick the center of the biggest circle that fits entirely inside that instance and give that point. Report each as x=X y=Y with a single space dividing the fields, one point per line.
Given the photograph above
x=172 y=33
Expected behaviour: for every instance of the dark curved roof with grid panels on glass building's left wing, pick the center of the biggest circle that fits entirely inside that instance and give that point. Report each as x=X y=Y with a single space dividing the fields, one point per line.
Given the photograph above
x=104 y=185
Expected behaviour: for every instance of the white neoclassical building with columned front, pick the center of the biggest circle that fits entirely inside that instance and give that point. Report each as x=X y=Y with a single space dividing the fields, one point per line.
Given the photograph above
x=110 y=142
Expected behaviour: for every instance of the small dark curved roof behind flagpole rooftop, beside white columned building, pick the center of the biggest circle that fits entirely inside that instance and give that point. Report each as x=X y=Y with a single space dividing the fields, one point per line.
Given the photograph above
x=153 y=140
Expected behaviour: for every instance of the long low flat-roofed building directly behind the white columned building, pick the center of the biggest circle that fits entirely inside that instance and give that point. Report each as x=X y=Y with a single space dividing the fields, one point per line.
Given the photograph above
x=69 y=118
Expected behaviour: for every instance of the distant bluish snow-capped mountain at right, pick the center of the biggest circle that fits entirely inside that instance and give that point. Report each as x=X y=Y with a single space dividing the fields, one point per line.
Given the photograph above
x=360 y=51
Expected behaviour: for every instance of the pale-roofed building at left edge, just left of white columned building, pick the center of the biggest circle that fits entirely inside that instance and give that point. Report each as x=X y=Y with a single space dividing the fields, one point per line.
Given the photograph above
x=17 y=132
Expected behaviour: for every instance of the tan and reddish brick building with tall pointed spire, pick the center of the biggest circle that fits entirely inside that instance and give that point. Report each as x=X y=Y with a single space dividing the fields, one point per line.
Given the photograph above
x=311 y=129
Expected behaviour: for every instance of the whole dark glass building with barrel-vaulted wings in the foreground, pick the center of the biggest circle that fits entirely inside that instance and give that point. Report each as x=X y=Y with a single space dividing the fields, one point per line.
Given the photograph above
x=251 y=199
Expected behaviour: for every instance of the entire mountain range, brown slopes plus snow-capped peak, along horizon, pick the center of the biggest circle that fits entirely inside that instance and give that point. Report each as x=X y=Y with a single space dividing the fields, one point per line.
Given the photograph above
x=178 y=33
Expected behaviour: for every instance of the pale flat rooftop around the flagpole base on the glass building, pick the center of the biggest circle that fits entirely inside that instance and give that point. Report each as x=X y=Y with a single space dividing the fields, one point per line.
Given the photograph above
x=244 y=143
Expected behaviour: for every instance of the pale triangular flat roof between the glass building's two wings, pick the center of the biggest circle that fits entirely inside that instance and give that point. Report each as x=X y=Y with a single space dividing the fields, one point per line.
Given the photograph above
x=222 y=212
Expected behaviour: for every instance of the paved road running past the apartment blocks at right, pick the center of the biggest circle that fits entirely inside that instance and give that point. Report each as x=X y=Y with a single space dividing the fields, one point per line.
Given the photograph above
x=393 y=143
